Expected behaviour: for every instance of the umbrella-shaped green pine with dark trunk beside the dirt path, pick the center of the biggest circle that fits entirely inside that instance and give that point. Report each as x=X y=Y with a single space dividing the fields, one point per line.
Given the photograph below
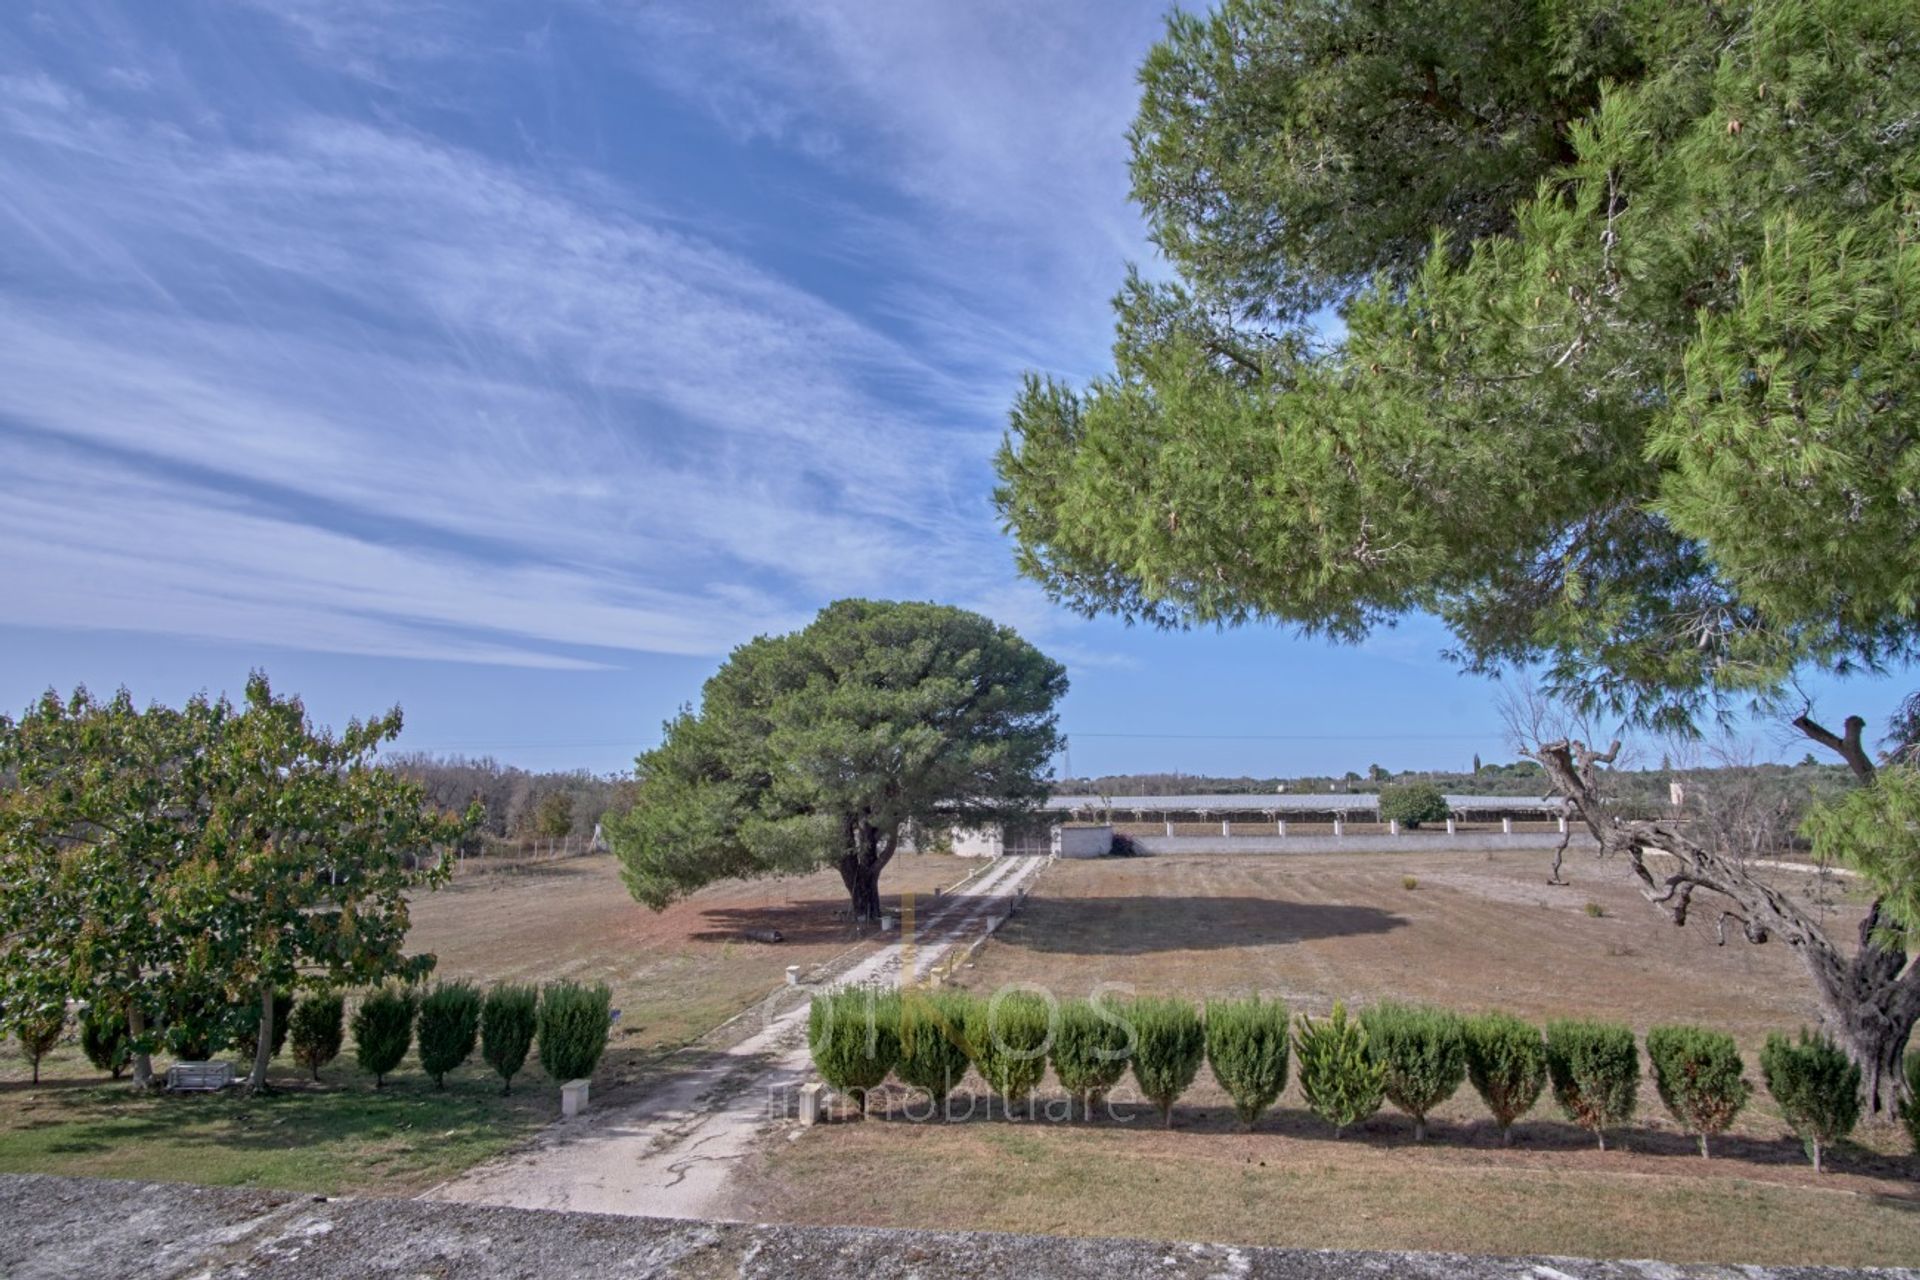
x=825 y=746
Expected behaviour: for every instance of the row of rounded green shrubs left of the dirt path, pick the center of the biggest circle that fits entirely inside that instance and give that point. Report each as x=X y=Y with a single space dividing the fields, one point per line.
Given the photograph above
x=565 y=1022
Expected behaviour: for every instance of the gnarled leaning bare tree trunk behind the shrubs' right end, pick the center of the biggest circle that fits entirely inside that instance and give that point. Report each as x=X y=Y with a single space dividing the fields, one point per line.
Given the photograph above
x=1871 y=1001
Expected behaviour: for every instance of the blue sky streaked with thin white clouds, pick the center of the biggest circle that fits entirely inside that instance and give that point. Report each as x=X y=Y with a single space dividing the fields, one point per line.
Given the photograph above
x=514 y=362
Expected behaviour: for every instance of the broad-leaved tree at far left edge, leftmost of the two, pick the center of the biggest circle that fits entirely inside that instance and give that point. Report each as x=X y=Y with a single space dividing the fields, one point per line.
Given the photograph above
x=99 y=855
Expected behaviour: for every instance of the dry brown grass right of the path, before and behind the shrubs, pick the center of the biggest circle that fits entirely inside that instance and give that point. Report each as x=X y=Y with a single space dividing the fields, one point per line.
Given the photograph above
x=1476 y=934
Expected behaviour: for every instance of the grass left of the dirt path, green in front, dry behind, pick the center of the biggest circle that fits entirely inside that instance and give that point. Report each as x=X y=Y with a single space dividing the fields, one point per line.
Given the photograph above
x=675 y=976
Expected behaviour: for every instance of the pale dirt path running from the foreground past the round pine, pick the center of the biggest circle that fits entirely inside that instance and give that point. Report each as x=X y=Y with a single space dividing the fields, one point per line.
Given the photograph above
x=671 y=1152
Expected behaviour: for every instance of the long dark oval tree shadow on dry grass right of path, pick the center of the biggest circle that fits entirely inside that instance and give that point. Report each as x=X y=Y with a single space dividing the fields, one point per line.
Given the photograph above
x=1188 y=924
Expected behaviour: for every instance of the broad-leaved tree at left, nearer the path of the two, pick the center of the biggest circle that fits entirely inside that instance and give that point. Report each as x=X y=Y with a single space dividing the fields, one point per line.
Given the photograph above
x=316 y=849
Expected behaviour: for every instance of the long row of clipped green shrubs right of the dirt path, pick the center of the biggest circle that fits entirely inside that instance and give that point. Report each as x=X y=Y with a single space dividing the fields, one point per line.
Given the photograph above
x=1412 y=1056
